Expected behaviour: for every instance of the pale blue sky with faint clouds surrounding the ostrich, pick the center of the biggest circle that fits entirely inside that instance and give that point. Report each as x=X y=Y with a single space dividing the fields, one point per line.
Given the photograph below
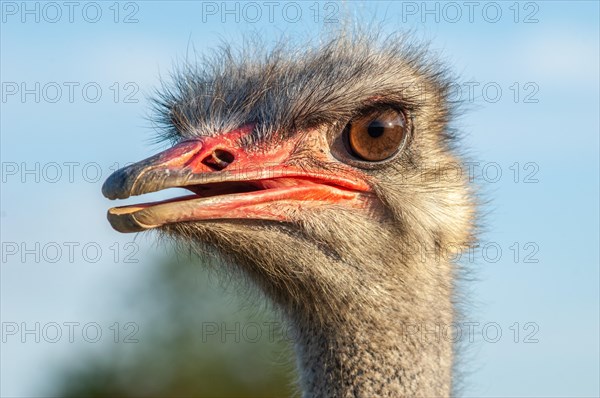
x=550 y=134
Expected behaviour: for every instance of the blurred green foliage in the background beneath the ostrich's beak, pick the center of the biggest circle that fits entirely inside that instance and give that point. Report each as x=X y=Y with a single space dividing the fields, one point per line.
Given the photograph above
x=197 y=338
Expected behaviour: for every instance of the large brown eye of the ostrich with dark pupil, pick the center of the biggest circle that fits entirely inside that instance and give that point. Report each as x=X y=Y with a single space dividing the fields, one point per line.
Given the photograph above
x=377 y=136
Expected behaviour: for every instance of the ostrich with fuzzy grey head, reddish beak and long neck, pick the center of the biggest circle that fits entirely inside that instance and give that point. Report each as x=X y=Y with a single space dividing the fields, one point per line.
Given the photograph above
x=317 y=172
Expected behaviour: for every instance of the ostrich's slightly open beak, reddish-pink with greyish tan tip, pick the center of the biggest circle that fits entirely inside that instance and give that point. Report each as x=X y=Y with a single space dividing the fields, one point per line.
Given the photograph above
x=227 y=182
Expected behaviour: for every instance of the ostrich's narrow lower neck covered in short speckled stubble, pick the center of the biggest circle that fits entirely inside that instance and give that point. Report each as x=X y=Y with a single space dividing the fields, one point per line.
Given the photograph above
x=404 y=349
